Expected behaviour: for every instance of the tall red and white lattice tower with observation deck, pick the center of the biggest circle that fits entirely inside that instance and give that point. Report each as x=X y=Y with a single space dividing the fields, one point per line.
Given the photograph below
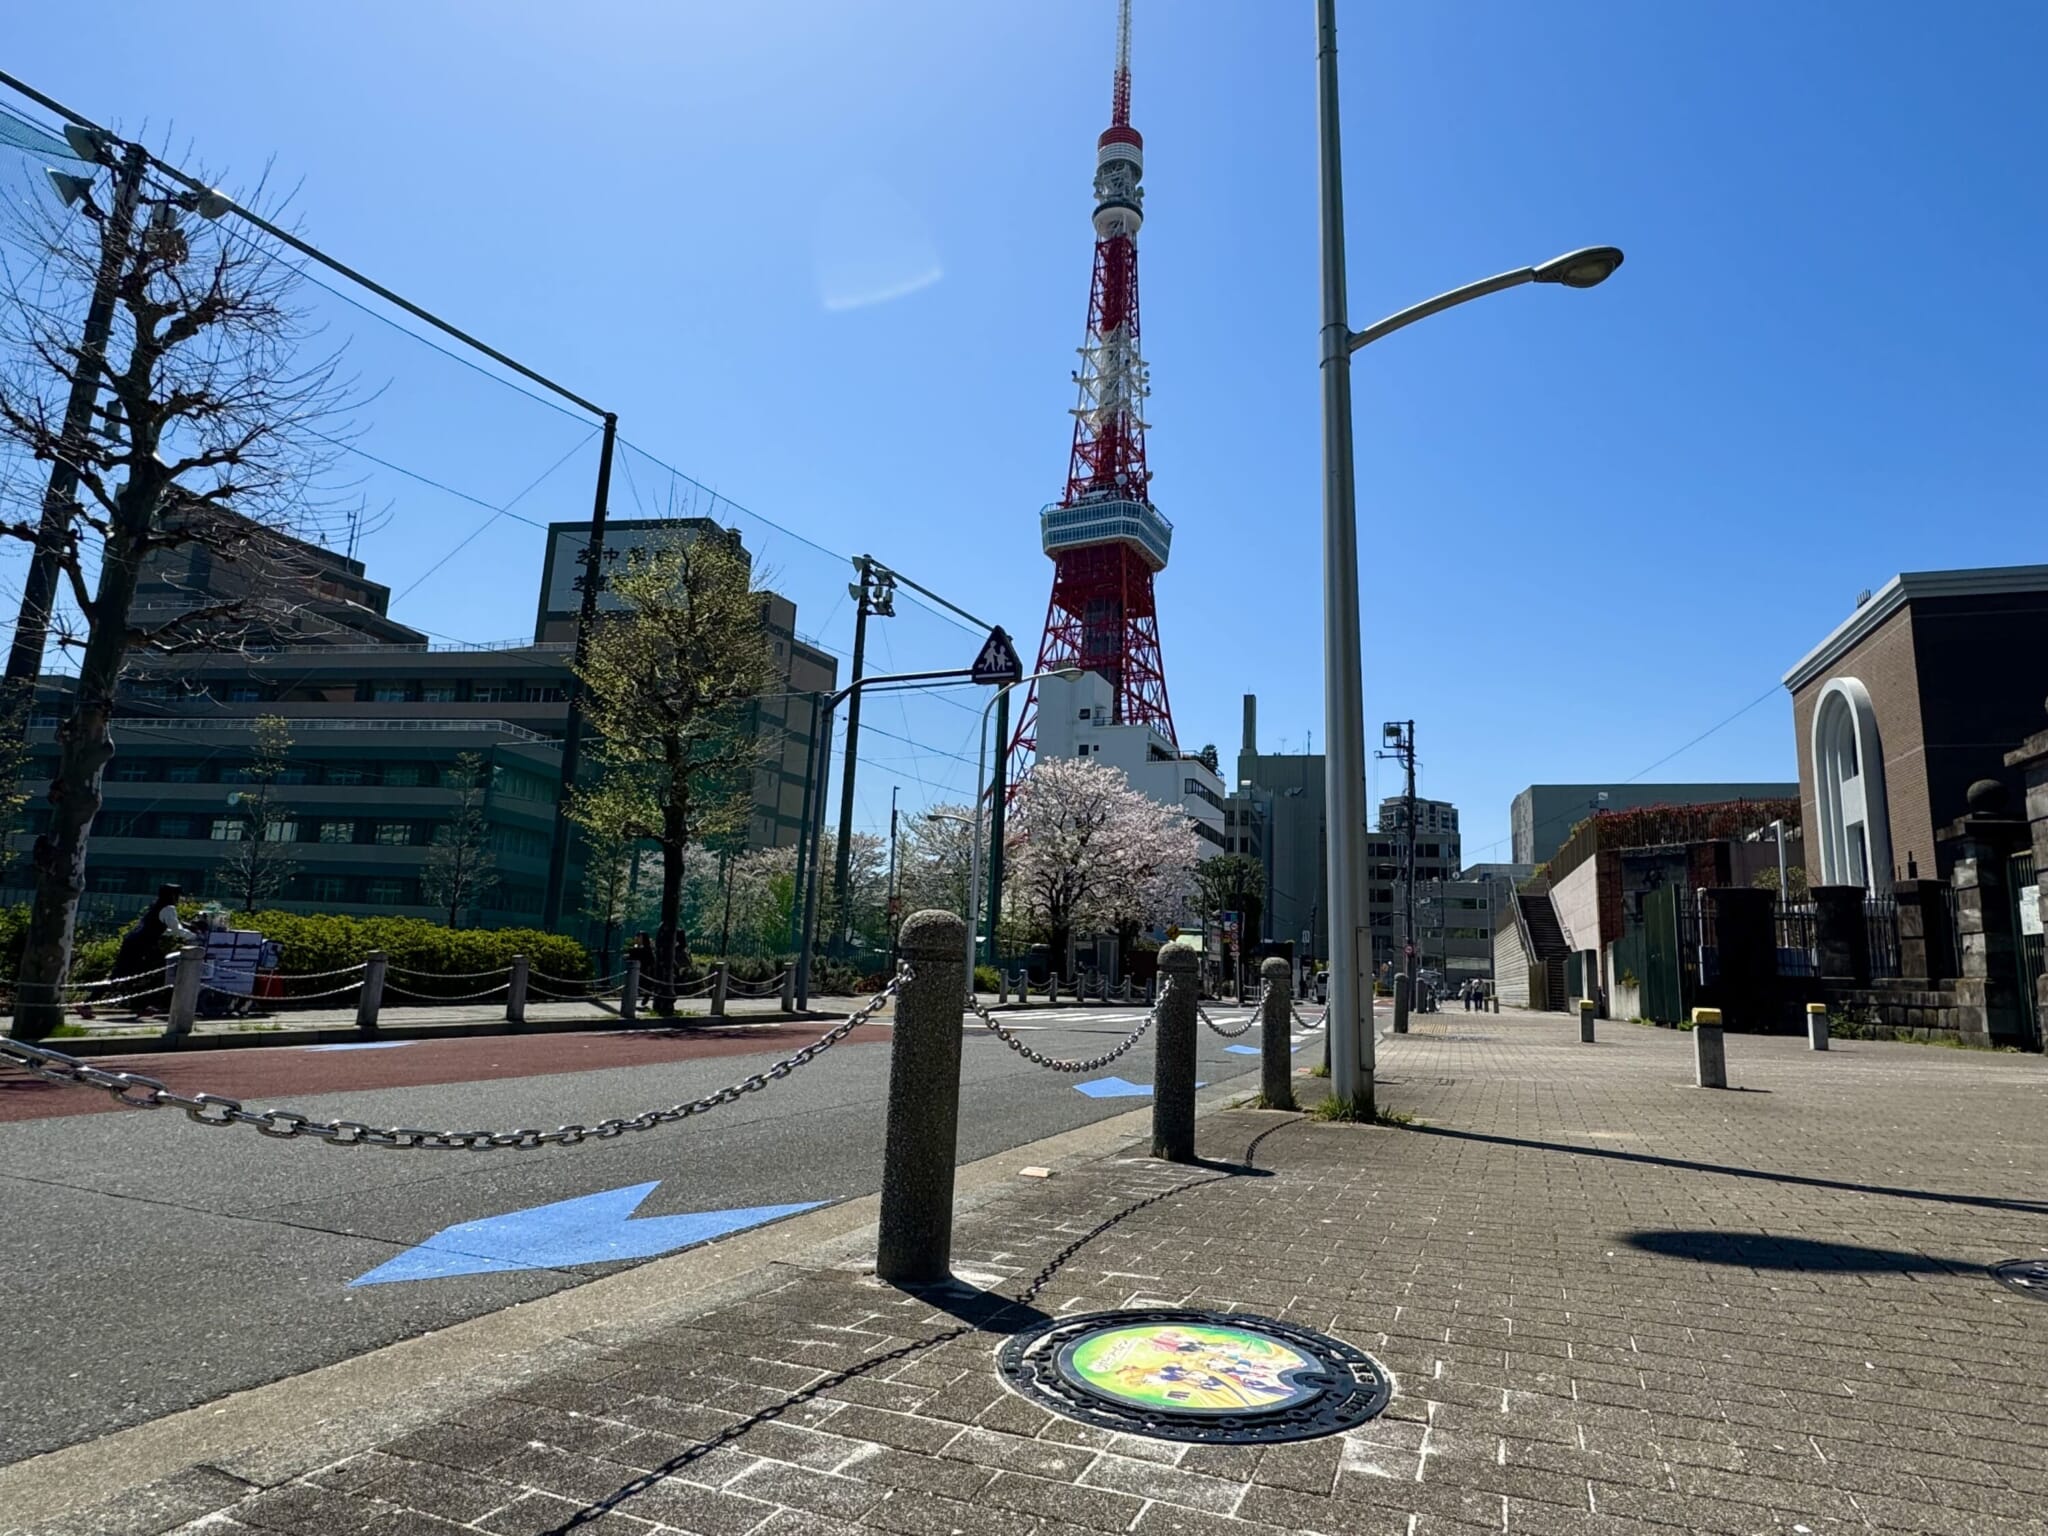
x=1105 y=536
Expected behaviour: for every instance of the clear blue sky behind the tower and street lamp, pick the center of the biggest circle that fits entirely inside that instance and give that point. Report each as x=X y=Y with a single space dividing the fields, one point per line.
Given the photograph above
x=830 y=259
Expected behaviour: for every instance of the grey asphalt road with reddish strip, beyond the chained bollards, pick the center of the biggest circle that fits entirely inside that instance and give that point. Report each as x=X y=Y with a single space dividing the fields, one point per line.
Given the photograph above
x=151 y=1265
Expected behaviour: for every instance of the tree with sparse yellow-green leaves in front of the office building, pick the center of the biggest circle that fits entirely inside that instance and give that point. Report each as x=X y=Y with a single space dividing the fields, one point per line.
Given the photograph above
x=667 y=685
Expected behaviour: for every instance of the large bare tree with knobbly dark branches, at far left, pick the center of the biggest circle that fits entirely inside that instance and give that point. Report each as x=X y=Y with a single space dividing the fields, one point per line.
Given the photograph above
x=210 y=433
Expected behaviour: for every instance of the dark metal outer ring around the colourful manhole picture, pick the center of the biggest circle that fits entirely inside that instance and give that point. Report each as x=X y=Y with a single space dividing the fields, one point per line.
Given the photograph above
x=1349 y=1388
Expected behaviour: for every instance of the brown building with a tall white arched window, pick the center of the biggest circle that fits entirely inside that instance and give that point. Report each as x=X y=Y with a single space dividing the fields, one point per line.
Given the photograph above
x=1904 y=706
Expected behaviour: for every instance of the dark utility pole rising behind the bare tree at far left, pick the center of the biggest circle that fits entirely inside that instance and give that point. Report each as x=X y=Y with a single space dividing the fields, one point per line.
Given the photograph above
x=40 y=585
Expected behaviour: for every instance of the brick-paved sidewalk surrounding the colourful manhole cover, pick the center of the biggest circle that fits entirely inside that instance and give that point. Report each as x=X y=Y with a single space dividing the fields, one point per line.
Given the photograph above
x=1611 y=1304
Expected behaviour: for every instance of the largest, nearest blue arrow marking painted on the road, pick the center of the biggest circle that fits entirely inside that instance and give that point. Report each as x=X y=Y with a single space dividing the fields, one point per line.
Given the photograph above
x=589 y=1230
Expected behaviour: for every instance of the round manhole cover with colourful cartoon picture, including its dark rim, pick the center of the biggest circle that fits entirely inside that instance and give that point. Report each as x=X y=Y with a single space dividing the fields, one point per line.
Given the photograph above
x=1191 y=1375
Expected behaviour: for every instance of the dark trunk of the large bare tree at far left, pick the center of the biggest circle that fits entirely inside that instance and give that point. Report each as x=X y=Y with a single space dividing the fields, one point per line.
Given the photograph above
x=85 y=746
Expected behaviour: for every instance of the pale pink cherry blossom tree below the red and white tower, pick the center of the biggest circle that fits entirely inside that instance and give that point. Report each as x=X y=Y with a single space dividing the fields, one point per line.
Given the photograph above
x=1093 y=853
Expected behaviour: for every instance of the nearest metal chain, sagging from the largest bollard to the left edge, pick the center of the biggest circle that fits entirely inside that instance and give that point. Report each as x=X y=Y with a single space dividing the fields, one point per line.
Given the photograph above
x=142 y=1093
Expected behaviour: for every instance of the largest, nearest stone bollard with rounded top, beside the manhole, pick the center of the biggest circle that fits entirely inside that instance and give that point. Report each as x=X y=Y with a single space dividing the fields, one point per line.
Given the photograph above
x=925 y=1105
